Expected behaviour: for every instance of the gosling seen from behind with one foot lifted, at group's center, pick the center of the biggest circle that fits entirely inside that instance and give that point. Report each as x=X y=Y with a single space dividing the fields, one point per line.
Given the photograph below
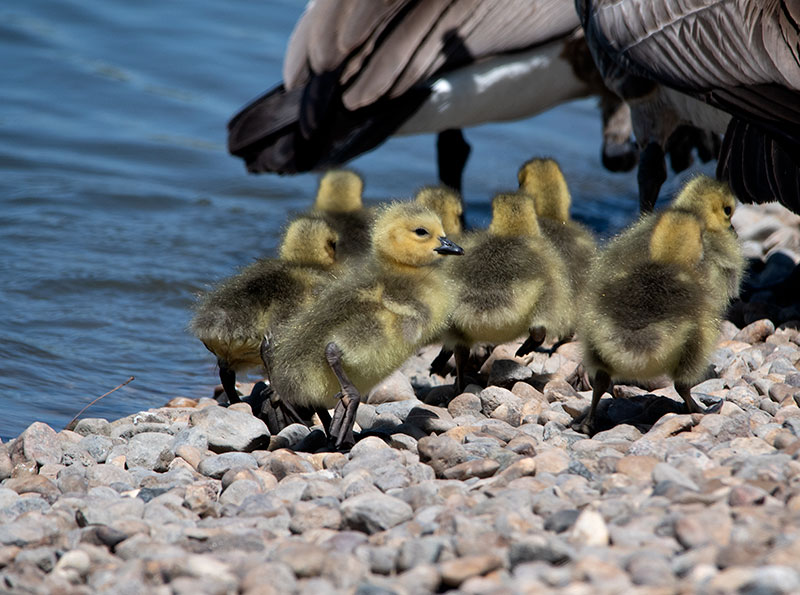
x=511 y=282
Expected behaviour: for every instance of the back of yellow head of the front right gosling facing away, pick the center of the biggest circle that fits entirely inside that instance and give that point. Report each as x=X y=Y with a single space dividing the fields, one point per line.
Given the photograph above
x=677 y=238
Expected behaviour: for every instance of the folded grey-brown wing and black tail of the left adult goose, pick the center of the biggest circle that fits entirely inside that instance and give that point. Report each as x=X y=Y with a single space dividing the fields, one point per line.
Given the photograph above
x=354 y=72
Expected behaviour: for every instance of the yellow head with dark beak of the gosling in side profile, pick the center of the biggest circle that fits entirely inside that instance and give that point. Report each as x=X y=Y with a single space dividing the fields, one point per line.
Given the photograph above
x=410 y=234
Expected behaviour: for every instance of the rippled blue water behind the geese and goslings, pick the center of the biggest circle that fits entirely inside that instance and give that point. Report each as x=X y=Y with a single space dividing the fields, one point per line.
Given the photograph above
x=120 y=202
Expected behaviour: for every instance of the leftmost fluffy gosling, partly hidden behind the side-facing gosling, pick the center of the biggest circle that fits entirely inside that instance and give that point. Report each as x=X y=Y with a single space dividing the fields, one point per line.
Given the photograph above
x=232 y=319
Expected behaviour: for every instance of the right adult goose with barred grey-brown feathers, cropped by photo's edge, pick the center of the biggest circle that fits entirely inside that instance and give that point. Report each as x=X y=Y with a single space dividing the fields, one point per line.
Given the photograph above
x=729 y=65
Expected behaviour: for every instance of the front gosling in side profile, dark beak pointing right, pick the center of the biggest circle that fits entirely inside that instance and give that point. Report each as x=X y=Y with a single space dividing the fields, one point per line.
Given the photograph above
x=368 y=322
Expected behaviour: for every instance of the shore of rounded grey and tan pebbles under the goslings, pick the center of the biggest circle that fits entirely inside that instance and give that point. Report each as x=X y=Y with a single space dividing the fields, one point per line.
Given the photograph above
x=488 y=492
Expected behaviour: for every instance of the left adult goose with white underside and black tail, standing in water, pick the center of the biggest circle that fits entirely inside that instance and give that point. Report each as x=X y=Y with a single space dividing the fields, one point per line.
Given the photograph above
x=359 y=71
